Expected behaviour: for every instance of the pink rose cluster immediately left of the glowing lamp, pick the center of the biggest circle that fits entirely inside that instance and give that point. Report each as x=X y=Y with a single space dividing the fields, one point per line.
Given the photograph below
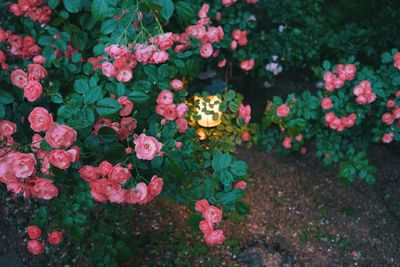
x=170 y=112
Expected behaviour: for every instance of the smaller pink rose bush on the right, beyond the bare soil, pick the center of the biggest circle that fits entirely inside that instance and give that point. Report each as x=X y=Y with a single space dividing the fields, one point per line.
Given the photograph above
x=356 y=107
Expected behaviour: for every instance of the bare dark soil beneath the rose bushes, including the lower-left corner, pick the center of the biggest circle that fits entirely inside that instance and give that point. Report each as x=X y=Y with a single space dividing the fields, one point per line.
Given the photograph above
x=300 y=216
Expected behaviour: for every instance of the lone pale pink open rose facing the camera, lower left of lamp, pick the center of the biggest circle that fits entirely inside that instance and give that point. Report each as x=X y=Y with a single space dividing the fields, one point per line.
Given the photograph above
x=147 y=147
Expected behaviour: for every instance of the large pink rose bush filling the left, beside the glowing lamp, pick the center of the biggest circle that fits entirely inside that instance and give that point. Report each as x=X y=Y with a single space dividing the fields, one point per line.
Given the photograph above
x=95 y=119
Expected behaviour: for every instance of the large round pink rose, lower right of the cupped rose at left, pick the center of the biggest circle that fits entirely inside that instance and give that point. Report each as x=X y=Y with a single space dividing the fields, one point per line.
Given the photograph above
x=60 y=136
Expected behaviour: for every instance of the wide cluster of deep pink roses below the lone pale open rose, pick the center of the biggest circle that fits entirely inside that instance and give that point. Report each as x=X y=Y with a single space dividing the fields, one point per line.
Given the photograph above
x=106 y=183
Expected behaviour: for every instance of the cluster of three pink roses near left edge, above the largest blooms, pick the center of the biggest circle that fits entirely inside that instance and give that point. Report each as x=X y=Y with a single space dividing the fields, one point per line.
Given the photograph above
x=30 y=82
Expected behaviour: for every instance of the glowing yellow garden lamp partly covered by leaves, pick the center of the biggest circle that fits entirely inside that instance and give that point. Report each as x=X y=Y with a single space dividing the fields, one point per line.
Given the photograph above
x=209 y=120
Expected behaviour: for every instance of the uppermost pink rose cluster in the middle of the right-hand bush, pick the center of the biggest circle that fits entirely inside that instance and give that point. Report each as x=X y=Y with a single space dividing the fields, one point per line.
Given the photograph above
x=337 y=78
